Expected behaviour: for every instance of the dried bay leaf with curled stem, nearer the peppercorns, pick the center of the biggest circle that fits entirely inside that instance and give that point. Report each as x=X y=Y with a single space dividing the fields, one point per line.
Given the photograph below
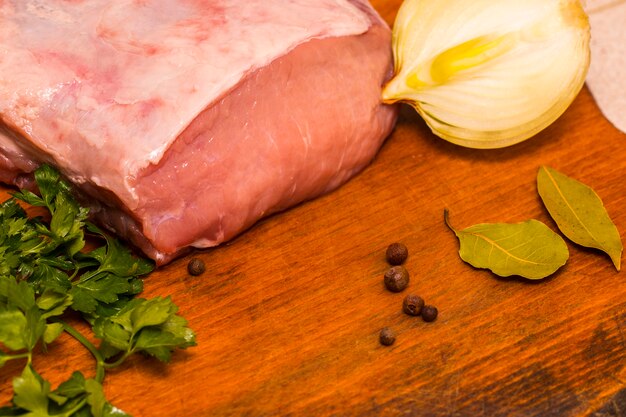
x=529 y=249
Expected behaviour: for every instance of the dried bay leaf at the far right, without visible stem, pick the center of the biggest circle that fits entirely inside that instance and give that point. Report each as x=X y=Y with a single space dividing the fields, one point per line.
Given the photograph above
x=579 y=213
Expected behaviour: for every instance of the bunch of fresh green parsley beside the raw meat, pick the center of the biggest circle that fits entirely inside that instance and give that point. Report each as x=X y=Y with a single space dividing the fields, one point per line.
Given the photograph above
x=45 y=271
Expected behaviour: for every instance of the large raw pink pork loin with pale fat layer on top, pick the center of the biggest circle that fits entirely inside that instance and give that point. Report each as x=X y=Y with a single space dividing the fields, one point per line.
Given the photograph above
x=183 y=122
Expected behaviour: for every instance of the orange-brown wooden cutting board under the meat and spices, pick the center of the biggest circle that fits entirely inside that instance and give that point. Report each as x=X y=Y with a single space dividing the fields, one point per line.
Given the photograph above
x=287 y=315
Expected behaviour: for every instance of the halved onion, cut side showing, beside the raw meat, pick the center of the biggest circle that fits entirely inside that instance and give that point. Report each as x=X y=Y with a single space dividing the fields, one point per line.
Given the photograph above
x=489 y=73
